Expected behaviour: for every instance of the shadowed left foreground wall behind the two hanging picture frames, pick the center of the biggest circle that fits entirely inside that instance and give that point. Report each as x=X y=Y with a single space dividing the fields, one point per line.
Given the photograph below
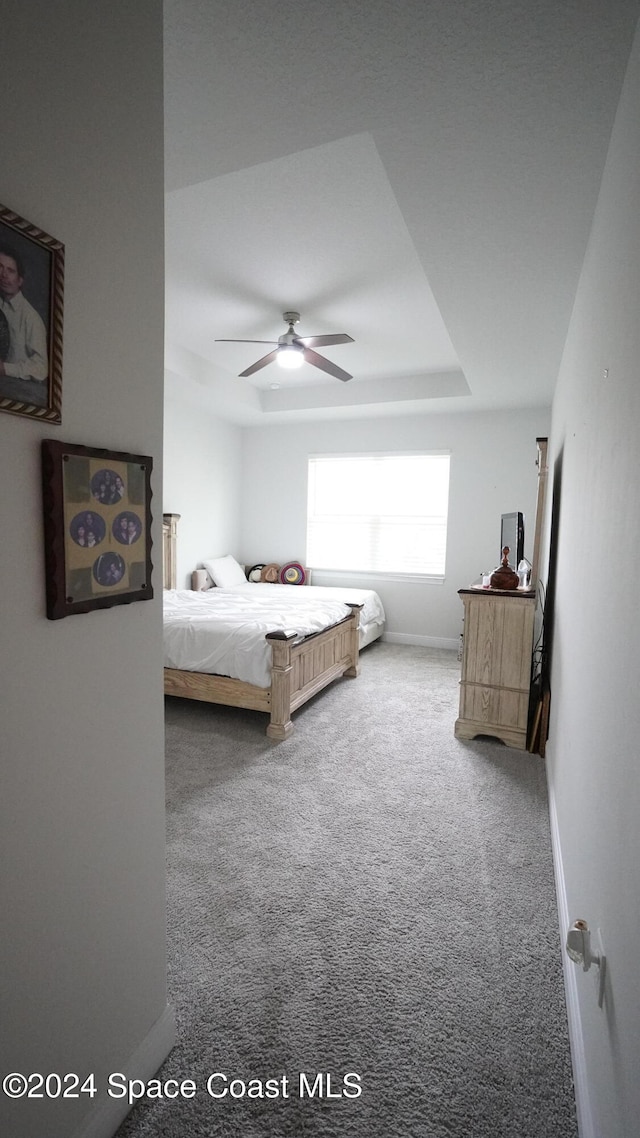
x=83 y=737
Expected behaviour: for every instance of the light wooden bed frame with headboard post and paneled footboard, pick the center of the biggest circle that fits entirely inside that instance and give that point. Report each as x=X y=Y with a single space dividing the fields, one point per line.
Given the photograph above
x=301 y=667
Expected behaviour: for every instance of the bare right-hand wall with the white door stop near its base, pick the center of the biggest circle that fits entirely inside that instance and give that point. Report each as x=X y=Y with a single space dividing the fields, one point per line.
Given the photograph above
x=595 y=551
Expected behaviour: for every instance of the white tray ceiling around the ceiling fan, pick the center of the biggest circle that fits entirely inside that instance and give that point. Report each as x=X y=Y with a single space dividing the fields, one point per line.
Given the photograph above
x=420 y=175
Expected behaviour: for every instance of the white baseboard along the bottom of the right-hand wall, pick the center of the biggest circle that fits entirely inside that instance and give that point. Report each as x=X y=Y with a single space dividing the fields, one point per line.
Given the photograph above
x=586 y=1124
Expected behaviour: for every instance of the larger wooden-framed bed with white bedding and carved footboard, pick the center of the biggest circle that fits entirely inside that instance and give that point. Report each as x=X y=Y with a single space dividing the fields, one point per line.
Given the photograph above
x=278 y=661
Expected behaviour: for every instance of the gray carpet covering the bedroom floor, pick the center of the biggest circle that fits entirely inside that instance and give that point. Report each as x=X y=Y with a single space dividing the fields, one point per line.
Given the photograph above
x=371 y=896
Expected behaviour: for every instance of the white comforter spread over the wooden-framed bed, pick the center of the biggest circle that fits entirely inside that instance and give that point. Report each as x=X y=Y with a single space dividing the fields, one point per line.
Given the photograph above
x=223 y=632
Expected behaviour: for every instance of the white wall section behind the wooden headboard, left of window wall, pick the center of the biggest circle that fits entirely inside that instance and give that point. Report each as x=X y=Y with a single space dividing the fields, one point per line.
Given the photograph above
x=203 y=476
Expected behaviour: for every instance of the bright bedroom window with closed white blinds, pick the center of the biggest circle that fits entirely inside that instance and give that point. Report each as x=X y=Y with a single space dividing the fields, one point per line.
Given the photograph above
x=379 y=514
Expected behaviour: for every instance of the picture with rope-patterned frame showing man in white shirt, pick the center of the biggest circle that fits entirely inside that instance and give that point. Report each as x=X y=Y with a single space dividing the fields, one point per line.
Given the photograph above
x=32 y=271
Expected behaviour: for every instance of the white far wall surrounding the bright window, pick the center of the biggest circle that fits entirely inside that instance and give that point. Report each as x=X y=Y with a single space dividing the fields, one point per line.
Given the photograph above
x=493 y=472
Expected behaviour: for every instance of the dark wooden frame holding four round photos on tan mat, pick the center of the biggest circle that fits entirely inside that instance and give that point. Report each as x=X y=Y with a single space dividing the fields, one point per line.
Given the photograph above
x=97 y=527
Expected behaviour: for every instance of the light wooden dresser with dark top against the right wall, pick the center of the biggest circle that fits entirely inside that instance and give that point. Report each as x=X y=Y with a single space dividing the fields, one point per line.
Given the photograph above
x=497 y=655
